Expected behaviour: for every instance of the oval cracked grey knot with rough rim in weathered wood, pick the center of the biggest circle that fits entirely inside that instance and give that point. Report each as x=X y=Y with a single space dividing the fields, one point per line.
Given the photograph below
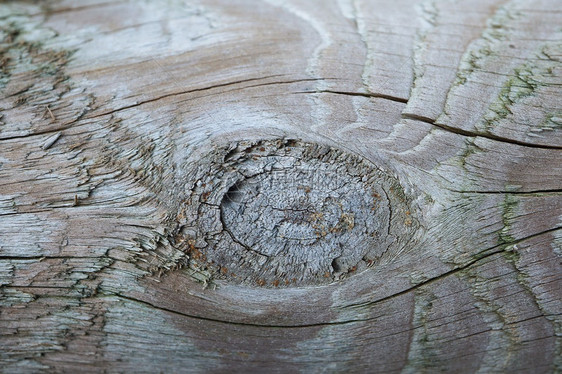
x=288 y=213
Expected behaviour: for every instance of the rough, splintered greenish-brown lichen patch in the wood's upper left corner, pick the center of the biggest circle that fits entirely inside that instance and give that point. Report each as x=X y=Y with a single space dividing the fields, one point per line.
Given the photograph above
x=38 y=93
